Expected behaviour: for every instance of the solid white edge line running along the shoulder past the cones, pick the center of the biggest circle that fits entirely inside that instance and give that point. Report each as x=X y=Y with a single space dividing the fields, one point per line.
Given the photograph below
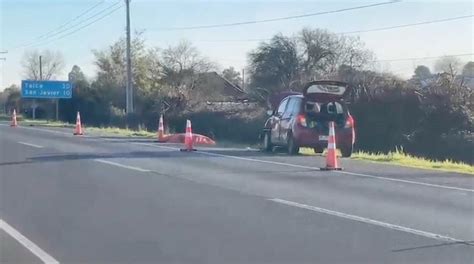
x=316 y=168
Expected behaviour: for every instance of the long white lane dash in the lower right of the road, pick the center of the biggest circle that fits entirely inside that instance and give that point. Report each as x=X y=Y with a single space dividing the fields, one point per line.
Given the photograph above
x=368 y=221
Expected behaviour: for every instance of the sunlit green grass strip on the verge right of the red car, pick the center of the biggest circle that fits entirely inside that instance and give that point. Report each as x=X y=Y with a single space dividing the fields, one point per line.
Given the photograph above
x=399 y=157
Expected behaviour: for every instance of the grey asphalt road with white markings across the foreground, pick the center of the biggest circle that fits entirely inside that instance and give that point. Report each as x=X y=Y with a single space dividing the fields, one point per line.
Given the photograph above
x=113 y=200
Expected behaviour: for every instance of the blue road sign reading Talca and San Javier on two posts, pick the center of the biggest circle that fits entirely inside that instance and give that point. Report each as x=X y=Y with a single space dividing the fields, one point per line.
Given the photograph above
x=46 y=90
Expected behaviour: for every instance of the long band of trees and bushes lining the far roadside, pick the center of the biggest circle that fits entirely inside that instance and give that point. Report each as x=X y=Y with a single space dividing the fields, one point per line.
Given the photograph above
x=430 y=114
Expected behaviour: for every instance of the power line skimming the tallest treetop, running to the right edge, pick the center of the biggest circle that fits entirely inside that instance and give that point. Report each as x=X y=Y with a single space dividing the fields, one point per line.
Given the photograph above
x=357 y=31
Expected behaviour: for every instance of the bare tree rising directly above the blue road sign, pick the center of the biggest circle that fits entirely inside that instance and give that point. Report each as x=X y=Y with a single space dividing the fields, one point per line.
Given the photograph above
x=52 y=64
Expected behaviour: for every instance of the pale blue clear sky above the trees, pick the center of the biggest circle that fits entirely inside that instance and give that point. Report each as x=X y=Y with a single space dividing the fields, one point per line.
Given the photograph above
x=27 y=25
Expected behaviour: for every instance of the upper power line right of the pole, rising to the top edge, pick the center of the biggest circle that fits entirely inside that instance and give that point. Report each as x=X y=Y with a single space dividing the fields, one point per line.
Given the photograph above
x=276 y=19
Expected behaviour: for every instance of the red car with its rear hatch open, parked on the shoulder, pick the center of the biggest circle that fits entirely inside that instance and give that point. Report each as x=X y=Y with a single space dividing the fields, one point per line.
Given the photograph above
x=302 y=120
